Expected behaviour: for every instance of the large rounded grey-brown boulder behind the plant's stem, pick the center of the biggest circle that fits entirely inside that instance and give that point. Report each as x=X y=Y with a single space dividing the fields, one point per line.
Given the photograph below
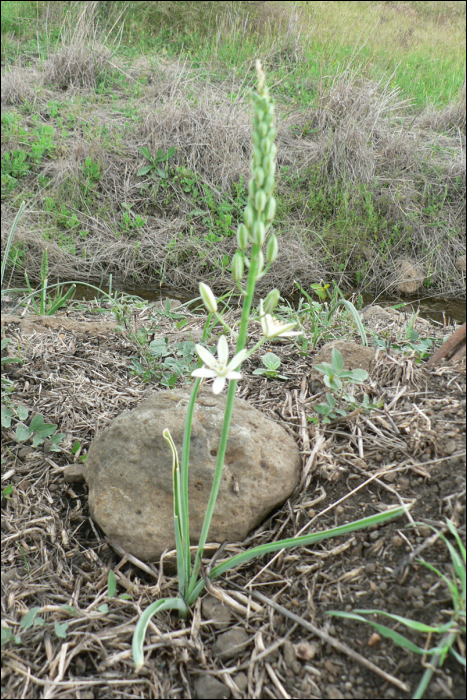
x=129 y=472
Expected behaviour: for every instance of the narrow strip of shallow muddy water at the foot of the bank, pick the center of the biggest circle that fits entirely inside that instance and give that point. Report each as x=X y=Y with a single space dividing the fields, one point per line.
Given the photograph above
x=433 y=309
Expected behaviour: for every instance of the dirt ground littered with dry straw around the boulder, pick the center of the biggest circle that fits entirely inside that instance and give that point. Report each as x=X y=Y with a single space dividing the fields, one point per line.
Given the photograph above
x=54 y=556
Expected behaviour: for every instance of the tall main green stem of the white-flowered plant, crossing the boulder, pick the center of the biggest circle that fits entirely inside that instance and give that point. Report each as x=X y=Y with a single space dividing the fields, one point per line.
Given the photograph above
x=250 y=289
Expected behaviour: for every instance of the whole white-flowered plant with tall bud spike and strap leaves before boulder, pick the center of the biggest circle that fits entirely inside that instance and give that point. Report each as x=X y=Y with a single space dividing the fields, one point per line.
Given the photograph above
x=252 y=235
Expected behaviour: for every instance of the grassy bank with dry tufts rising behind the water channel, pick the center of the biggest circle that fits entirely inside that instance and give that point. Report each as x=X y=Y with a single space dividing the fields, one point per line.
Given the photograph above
x=364 y=176
